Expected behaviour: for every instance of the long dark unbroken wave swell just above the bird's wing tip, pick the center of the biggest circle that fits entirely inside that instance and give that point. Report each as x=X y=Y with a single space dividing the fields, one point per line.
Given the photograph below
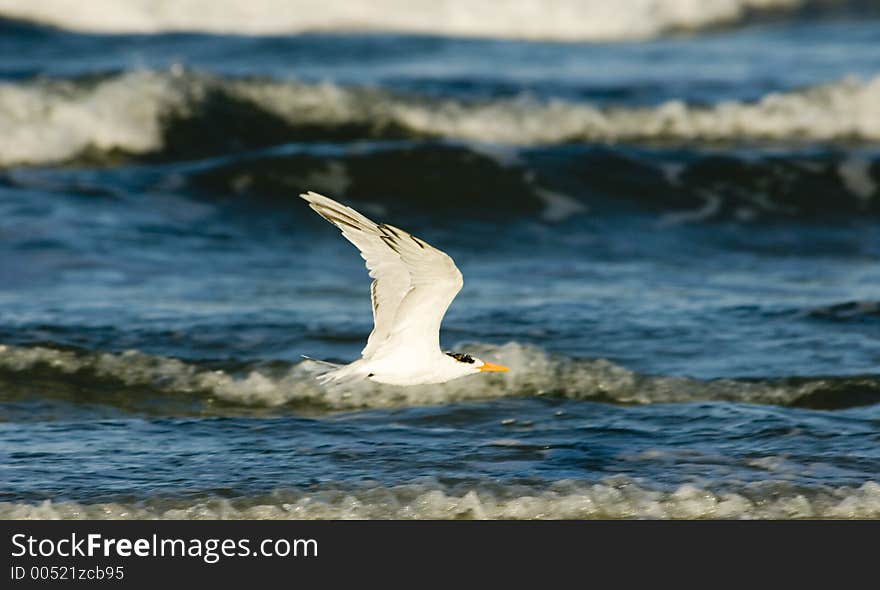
x=558 y=184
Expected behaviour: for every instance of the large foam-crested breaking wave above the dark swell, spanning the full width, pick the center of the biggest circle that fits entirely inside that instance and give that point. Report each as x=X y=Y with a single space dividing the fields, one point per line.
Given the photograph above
x=186 y=114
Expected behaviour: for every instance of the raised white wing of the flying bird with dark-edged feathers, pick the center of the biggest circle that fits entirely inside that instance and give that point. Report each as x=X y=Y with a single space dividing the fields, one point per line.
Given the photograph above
x=413 y=282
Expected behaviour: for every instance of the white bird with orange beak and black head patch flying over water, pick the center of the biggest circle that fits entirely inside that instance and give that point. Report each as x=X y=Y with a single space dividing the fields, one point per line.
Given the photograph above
x=413 y=286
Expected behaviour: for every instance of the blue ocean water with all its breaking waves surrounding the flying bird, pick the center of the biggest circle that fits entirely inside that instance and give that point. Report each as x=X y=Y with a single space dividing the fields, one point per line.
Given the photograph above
x=667 y=217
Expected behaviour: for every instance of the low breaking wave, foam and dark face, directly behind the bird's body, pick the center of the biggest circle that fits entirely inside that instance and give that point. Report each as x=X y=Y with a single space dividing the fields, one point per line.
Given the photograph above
x=119 y=379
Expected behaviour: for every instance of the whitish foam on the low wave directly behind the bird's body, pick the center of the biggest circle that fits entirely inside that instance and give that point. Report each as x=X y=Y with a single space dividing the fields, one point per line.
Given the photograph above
x=533 y=372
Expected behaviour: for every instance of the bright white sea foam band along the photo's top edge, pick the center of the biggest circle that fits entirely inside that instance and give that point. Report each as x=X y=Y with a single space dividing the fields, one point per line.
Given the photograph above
x=568 y=20
